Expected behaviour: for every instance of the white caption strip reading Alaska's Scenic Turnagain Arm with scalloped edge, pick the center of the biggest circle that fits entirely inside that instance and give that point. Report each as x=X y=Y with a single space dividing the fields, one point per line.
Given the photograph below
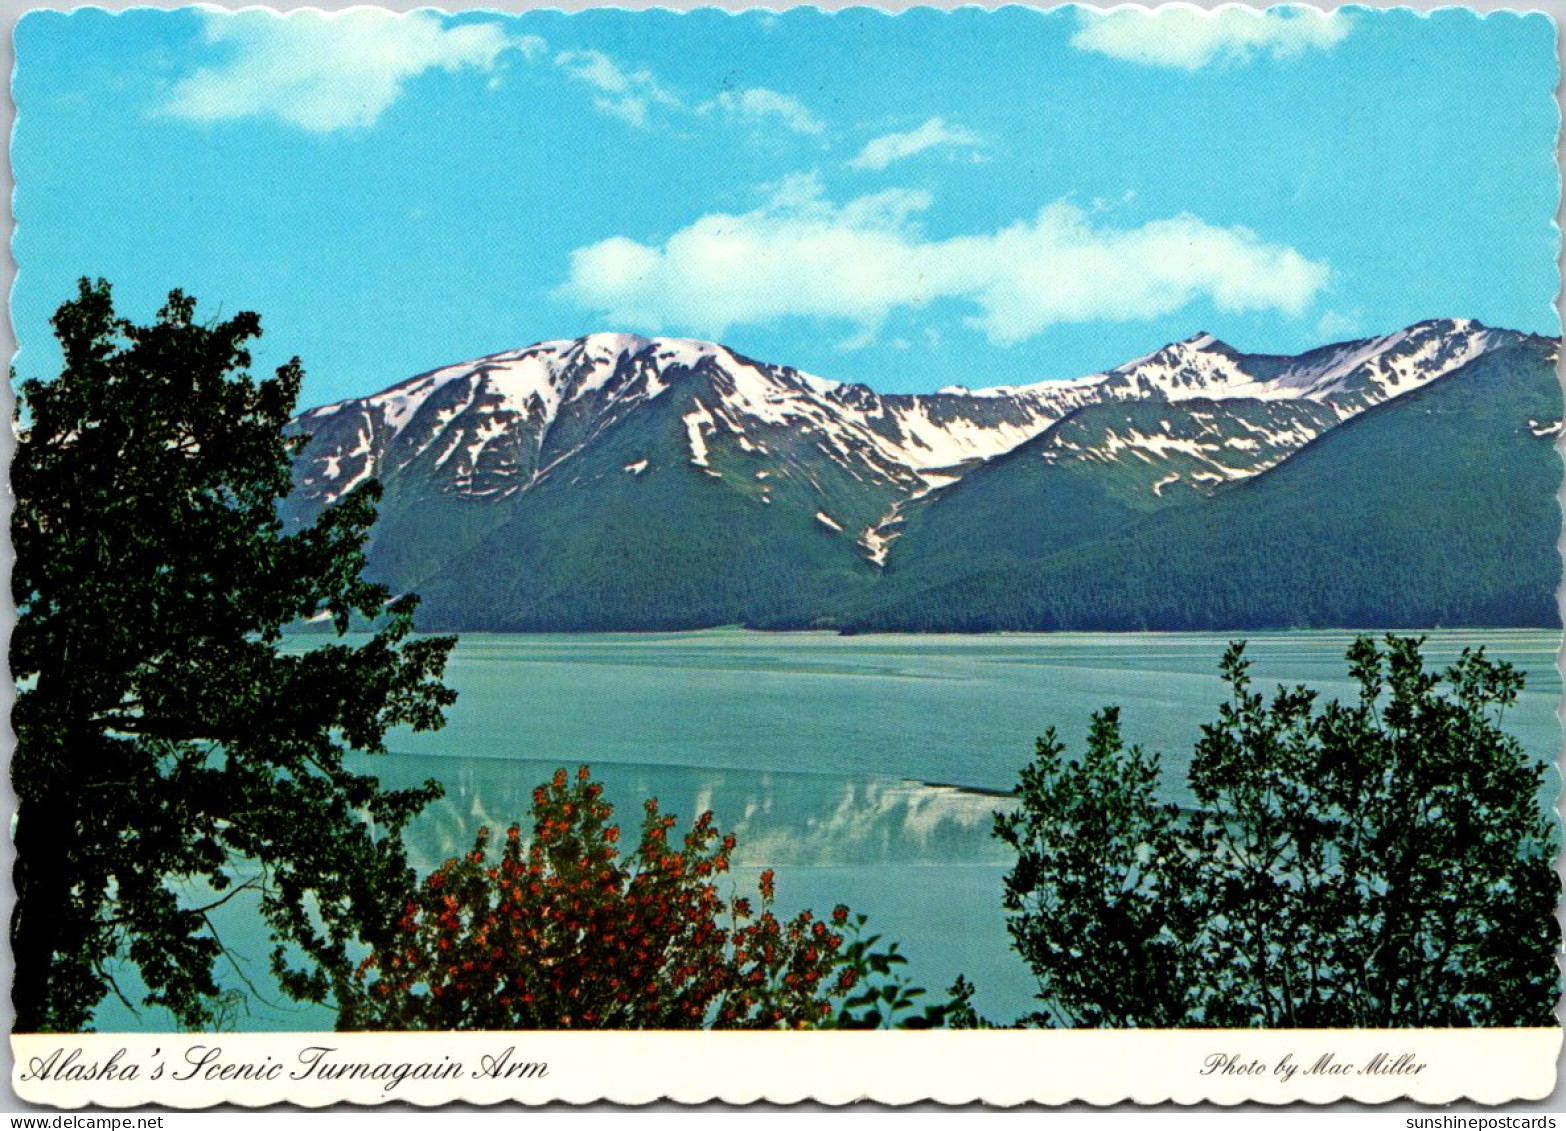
x=998 y=1068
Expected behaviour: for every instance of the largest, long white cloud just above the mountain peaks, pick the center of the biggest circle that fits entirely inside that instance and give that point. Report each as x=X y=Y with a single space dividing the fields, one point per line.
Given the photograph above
x=803 y=256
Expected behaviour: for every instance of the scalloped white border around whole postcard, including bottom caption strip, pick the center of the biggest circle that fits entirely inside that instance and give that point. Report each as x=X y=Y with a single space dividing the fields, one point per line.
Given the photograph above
x=1005 y=1069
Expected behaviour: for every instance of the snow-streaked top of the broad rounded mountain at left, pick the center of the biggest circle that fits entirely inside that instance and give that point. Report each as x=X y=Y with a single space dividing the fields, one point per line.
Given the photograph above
x=497 y=425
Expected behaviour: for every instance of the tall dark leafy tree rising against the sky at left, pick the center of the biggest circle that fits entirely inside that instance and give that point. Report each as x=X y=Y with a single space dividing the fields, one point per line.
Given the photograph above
x=170 y=750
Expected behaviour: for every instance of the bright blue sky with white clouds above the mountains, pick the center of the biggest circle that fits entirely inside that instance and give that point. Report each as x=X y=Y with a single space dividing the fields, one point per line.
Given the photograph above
x=914 y=201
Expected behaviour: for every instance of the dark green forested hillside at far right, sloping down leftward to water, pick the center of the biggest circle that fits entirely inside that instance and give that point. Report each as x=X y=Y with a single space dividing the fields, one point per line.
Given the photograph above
x=1437 y=508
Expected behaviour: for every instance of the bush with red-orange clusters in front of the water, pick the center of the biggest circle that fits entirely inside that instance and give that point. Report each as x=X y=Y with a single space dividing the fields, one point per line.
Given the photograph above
x=566 y=933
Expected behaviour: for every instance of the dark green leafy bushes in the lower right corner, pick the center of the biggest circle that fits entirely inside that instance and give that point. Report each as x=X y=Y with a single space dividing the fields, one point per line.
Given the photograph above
x=1373 y=864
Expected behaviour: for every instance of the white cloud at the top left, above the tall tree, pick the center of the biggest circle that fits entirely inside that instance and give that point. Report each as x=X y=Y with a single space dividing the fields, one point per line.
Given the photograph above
x=328 y=71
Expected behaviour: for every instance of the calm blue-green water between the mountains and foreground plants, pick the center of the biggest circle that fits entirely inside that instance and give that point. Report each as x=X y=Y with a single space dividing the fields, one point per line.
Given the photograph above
x=864 y=770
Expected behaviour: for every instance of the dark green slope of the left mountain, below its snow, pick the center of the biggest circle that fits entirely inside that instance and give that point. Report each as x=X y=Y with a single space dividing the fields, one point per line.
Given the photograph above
x=669 y=547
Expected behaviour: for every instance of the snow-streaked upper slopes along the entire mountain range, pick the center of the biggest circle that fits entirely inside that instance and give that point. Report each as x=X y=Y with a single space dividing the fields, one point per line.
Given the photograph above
x=497 y=425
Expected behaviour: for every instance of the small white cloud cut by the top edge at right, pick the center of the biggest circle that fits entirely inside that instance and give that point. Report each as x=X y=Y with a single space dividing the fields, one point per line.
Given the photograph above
x=1189 y=38
